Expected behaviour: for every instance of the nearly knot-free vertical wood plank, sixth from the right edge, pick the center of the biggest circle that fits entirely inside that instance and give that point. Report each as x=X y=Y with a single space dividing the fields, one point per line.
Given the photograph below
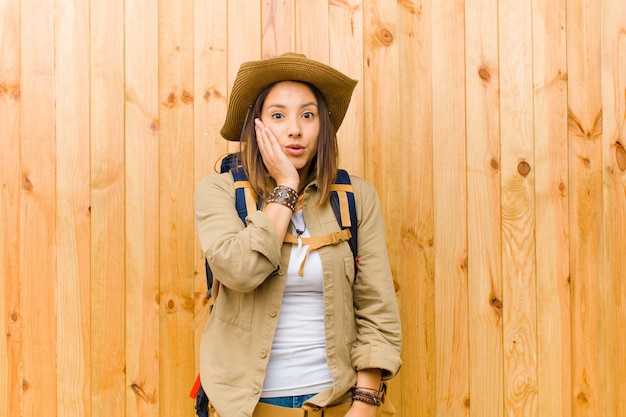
x=450 y=193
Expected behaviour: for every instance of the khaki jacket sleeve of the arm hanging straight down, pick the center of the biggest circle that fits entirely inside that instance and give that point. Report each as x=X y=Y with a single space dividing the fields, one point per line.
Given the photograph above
x=379 y=335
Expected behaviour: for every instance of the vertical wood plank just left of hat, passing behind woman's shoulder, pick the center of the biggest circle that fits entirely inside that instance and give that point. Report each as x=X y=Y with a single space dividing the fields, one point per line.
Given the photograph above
x=210 y=79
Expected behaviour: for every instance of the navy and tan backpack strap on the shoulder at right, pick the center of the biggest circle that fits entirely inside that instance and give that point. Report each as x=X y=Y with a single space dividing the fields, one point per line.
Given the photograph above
x=344 y=207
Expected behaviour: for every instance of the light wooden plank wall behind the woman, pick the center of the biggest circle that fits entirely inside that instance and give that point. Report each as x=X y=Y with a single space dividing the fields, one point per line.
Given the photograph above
x=493 y=131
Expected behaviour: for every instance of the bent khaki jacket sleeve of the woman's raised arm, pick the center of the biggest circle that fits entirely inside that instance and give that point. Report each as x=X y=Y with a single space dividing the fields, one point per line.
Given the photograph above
x=241 y=258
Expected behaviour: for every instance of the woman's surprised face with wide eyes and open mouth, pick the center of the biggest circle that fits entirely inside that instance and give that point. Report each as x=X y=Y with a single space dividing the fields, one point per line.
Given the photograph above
x=290 y=111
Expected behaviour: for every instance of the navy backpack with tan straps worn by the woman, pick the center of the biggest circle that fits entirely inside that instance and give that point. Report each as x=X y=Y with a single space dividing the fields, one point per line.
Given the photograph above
x=341 y=200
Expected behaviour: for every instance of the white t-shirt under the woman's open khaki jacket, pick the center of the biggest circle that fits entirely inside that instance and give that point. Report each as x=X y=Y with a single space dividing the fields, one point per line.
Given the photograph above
x=297 y=364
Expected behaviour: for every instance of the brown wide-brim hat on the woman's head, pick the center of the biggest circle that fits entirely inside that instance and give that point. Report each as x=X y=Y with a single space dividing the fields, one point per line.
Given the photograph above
x=254 y=76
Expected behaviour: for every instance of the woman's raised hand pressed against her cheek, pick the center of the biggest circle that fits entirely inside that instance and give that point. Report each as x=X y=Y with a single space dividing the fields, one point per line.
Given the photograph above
x=275 y=160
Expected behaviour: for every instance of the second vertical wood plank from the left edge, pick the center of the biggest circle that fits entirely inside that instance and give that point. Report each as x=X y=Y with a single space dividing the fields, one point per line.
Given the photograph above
x=38 y=271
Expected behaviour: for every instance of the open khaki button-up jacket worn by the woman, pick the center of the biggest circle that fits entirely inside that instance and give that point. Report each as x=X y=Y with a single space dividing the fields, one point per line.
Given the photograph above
x=362 y=322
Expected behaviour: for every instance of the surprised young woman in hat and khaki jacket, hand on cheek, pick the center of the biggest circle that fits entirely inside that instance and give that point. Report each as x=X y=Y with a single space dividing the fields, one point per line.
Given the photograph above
x=293 y=331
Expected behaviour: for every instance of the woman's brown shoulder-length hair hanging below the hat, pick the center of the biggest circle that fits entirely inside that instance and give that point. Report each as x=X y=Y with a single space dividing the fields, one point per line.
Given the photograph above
x=323 y=167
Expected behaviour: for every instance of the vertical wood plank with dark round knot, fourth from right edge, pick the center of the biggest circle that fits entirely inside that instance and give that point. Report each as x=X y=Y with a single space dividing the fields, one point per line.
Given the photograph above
x=518 y=209
